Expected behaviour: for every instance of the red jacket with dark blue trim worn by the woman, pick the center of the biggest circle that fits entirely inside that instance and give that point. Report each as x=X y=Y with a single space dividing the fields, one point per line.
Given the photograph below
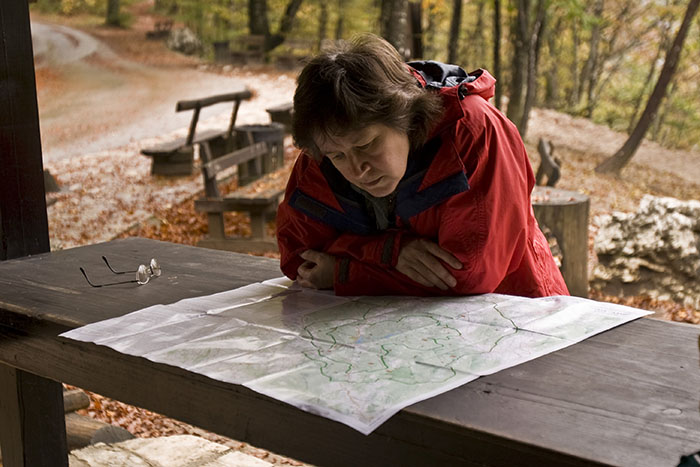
x=468 y=189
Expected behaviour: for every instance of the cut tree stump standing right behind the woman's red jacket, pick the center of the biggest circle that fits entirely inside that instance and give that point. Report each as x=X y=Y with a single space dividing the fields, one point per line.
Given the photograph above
x=565 y=214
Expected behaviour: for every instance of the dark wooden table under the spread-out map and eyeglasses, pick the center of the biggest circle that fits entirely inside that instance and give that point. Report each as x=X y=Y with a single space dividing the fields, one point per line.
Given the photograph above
x=628 y=396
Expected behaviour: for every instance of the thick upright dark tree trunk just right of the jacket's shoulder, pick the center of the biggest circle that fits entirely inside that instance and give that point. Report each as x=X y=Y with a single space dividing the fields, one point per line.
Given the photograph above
x=520 y=53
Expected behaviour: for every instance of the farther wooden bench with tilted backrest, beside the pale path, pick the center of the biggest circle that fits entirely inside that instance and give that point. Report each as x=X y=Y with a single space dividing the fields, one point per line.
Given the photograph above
x=176 y=157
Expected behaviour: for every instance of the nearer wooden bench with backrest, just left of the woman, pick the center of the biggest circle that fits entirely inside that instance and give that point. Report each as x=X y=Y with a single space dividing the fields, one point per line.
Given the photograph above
x=260 y=205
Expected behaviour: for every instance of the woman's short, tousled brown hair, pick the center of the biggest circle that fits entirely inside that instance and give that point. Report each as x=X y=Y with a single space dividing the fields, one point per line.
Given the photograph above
x=357 y=84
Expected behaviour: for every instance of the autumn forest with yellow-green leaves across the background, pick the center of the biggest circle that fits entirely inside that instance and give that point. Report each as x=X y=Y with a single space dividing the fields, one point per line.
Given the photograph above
x=599 y=59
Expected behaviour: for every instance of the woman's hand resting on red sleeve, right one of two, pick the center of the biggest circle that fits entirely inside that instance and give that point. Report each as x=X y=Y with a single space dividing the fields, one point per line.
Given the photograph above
x=422 y=261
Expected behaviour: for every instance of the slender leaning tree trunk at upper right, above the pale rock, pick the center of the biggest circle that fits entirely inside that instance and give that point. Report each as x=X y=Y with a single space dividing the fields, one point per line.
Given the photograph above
x=615 y=163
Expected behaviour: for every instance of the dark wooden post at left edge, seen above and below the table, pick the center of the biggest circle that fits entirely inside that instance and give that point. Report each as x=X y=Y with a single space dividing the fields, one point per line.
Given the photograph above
x=32 y=427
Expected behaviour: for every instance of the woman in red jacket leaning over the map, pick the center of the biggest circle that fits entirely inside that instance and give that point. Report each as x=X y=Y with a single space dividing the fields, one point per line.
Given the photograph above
x=409 y=182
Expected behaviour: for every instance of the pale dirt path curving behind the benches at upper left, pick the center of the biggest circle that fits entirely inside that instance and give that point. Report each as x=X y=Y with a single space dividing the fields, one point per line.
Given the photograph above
x=90 y=99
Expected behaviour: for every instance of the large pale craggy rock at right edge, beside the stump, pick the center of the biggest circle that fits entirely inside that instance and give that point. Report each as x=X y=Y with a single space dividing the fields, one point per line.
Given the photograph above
x=653 y=251
